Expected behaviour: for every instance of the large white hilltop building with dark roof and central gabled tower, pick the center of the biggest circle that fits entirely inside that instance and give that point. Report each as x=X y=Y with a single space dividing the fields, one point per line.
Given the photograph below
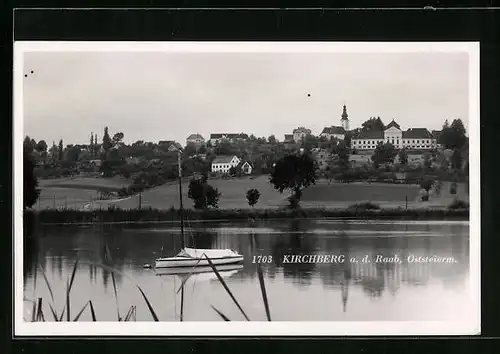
x=413 y=138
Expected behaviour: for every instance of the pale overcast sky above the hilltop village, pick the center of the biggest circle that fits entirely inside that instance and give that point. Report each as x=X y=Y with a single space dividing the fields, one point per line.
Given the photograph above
x=154 y=96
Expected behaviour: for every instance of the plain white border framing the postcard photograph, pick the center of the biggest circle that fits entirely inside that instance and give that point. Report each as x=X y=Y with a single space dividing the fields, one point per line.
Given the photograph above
x=384 y=328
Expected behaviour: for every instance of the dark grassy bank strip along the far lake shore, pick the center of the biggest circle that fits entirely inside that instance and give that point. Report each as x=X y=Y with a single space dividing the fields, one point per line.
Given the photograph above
x=155 y=215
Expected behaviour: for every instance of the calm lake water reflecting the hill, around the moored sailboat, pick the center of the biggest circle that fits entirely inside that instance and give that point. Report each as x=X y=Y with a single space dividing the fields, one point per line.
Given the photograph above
x=349 y=291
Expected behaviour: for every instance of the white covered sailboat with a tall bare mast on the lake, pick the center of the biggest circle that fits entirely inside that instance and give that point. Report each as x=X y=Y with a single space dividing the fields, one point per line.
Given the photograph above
x=191 y=257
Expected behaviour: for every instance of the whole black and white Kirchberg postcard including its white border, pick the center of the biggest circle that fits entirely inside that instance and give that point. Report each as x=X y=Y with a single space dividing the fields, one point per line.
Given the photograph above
x=278 y=188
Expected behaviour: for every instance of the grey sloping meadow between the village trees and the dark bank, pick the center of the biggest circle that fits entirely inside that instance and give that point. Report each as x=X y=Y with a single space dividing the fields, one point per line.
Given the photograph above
x=82 y=193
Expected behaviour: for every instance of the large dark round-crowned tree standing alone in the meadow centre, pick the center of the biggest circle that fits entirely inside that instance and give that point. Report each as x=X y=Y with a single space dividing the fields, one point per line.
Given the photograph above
x=294 y=173
